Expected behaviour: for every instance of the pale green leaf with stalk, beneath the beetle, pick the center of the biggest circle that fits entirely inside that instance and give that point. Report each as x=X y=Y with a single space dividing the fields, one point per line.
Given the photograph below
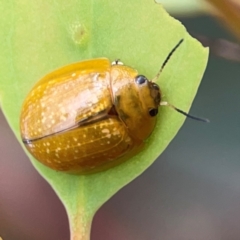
x=40 y=36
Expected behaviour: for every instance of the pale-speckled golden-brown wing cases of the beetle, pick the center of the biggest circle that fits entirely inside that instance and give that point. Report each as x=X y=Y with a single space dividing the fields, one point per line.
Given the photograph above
x=64 y=112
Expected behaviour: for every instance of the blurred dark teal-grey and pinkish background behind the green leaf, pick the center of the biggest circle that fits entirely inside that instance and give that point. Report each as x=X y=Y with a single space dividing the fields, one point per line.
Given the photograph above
x=192 y=192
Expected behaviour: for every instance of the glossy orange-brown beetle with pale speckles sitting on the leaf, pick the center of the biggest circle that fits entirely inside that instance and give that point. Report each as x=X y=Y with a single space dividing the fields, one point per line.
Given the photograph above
x=90 y=116
